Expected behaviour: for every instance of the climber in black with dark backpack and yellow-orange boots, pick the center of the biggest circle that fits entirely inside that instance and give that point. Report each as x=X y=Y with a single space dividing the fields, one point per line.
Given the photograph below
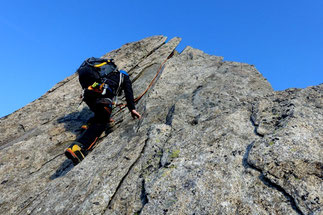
x=101 y=82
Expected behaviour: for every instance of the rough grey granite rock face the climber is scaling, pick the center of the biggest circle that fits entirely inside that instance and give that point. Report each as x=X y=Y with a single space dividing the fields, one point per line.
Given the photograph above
x=214 y=139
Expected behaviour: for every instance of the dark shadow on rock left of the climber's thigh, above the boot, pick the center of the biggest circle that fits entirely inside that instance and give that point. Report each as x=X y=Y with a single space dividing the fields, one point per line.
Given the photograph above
x=74 y=121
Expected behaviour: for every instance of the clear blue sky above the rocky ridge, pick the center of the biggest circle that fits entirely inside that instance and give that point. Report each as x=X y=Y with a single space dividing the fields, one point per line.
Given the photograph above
x=44 y=41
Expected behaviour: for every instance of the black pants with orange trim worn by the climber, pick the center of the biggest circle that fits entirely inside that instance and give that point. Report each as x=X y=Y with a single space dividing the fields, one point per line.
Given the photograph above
x=102 y=111
